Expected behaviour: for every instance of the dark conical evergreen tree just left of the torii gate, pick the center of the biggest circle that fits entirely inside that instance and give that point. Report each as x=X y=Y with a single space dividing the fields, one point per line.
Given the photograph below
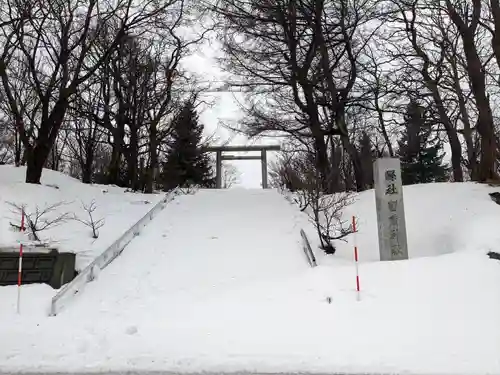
x=186 y=164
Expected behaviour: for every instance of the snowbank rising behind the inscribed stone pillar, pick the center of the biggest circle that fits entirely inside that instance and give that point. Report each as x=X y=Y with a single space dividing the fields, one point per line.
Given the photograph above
x=441 y=218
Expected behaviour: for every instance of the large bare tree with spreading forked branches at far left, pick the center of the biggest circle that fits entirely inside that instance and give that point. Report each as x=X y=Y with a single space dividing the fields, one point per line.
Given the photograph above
x=57 y=43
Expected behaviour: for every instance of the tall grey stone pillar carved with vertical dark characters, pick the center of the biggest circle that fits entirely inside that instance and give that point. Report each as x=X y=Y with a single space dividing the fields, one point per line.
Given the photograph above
x=390 y=209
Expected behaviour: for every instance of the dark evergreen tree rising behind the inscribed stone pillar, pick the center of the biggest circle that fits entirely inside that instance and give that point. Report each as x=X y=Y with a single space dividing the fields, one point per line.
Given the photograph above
x=421 y=157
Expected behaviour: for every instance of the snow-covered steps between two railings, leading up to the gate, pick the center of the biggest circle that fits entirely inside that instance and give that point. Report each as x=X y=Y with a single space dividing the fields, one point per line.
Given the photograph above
x=201 y=245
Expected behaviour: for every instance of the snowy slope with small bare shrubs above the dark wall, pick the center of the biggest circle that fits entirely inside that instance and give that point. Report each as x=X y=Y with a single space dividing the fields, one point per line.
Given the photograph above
x=119 y=210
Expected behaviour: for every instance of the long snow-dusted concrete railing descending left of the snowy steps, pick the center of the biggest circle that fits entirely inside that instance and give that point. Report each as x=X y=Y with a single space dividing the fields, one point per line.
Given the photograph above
x=102 y=261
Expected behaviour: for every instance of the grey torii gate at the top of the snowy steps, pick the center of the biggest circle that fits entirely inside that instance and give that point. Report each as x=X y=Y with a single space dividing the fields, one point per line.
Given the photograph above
x=220 y=157
